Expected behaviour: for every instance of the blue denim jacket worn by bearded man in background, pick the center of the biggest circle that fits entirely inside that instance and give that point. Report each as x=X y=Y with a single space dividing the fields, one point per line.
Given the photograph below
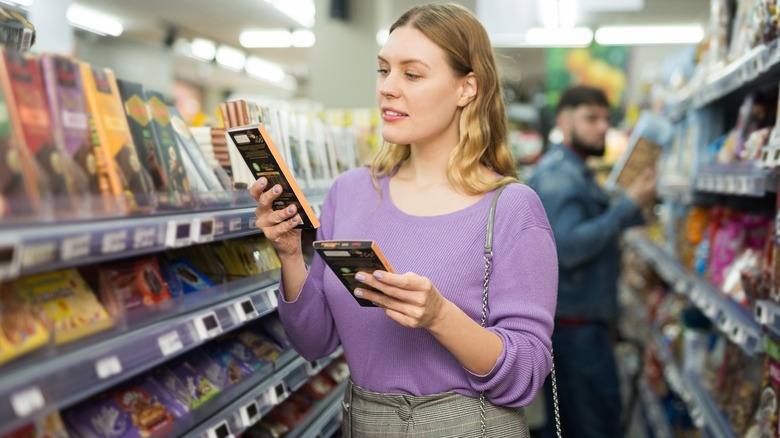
x=587 y=225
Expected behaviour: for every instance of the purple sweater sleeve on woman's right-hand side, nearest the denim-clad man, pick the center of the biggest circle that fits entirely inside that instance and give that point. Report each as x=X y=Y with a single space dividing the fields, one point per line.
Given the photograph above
x=521 y=301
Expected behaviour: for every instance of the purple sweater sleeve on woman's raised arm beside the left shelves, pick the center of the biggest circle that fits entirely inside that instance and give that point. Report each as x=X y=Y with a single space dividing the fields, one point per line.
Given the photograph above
x=308 y=320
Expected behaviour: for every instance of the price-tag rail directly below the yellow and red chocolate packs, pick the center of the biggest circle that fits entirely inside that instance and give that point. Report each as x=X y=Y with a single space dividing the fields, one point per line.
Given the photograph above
x=38 y=383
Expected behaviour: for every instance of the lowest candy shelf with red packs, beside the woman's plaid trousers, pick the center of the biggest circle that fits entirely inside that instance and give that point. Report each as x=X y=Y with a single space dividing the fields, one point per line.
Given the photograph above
x=309 y=410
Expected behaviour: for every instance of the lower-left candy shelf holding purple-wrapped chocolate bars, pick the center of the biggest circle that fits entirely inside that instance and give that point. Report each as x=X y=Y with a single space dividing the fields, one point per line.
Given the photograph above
x=225 y=379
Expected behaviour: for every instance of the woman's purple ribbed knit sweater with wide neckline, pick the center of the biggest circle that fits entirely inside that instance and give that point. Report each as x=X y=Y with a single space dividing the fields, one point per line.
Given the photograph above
x=384 y=356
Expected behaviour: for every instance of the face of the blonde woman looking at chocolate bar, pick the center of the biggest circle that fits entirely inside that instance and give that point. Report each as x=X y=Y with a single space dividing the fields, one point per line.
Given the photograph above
x=419 y=94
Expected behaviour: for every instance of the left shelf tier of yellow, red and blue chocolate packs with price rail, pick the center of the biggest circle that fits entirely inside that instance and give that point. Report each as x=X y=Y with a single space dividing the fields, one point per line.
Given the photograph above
x=68 y=334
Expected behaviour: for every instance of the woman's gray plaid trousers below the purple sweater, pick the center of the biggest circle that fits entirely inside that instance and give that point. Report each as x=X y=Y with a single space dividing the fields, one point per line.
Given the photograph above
x=369 y=414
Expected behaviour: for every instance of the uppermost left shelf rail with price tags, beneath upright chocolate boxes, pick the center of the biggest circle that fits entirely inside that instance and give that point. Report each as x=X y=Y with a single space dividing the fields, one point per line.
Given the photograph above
x=46 y=246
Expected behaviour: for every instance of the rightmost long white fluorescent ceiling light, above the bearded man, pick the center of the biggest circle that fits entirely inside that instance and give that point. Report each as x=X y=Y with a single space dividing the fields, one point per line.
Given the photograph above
x=636 y=35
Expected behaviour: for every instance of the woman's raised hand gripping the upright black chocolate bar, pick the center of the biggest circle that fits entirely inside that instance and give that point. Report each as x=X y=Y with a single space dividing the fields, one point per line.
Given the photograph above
x=278 y=226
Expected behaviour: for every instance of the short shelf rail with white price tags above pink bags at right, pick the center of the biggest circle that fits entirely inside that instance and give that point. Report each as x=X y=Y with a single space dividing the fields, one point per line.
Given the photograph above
x=740 y=178
